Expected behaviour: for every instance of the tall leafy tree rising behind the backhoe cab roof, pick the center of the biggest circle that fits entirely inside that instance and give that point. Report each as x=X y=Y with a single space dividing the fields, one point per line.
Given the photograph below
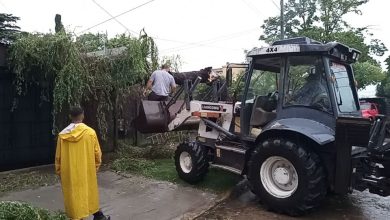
x=323 y=20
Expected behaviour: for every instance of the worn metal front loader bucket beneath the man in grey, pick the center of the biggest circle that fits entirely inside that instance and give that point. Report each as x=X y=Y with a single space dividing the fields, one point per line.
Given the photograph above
x=153 y=117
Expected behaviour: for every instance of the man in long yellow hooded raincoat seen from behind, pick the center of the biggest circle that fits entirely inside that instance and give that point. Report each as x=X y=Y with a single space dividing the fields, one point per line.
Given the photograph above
x=78 y=157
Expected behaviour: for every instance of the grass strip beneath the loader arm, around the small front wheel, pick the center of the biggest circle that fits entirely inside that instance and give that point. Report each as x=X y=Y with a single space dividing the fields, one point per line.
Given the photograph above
x=164 y=169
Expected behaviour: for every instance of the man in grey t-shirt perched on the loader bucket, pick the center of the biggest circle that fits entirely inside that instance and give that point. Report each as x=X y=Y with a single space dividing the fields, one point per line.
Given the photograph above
x=161 y=83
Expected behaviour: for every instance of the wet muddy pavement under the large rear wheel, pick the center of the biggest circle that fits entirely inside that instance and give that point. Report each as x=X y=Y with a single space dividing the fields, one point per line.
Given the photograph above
x=244 y=205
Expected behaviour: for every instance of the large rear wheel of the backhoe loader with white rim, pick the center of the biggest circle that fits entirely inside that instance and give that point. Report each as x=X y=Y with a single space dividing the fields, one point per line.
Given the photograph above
x=288 y=178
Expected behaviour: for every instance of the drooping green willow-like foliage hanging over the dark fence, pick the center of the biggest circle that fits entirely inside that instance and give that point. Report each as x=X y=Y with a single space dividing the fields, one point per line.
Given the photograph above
x=68 y=75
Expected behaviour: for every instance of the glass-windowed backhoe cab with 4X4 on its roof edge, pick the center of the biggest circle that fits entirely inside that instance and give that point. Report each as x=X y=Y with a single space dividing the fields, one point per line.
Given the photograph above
x=298 y=78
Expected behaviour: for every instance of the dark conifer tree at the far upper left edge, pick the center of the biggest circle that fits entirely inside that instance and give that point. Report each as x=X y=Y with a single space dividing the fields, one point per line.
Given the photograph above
x=8 y=28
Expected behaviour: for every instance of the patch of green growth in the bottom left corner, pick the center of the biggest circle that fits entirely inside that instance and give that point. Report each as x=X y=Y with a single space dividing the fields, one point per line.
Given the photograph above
x=24 y=211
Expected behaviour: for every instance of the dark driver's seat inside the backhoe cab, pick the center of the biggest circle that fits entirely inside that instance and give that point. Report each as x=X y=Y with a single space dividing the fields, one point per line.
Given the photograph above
x=259 y=116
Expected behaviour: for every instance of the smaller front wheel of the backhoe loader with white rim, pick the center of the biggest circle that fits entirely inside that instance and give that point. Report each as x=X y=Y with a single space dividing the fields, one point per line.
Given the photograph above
x=191 y=162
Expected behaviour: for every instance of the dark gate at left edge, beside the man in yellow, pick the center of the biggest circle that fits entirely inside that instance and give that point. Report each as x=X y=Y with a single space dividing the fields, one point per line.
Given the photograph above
x=26 y=133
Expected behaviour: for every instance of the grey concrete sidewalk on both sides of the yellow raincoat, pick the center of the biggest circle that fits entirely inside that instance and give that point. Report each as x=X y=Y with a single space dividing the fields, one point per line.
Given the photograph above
x=132 y=198
